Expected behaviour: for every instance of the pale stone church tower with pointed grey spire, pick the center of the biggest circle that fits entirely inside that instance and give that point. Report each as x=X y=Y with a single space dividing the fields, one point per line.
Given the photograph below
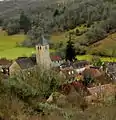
x=42 y=54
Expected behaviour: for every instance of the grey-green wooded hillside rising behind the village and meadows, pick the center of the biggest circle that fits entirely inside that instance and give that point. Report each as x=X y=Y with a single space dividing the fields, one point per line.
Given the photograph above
x=89 y=21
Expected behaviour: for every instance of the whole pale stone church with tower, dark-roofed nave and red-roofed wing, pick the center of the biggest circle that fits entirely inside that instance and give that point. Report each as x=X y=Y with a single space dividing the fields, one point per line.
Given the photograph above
x=41 y=58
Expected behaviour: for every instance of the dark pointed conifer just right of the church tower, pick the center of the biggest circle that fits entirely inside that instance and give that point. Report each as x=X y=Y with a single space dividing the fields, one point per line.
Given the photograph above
x=70 y=50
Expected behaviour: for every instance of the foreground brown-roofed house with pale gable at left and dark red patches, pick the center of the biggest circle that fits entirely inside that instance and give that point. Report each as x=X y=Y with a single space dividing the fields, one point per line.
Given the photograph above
x=68 y=92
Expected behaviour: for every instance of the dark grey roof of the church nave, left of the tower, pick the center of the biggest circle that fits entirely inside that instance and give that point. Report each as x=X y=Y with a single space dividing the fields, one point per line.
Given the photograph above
x=26 y=62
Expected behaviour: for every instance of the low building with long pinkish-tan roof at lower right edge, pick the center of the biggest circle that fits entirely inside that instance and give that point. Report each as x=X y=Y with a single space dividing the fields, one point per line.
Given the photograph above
x=101 y=93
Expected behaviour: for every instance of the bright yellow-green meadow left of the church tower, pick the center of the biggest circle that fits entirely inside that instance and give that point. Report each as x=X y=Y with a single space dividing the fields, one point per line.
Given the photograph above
x=8 y=48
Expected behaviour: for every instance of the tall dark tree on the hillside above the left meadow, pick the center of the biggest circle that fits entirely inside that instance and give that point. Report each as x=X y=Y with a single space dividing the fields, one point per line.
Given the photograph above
x=25 y=23
